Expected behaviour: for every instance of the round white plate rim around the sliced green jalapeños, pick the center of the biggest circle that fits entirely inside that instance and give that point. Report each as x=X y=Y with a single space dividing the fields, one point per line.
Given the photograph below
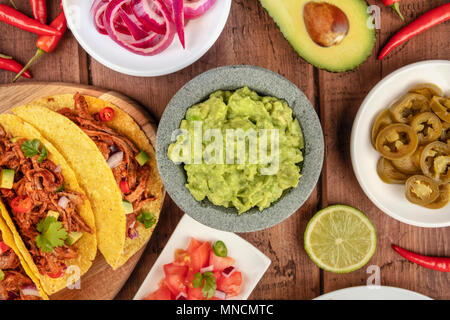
x=391 y=198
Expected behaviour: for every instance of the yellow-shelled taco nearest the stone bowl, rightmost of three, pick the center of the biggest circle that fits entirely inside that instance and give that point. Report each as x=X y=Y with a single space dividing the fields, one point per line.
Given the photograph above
x=114 y=163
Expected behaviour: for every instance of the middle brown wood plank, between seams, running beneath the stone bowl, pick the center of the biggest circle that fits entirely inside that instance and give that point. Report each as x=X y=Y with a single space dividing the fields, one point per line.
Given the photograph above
x=292 y=275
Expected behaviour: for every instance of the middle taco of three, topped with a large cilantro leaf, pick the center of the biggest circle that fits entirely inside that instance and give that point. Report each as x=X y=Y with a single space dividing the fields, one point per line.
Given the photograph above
x=46 y=210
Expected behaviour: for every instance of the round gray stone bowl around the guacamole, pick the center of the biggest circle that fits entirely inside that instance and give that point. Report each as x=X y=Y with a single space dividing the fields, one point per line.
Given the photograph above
x=264 y=82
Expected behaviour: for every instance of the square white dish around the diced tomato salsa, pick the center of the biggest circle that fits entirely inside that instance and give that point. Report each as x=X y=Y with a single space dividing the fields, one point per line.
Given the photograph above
x=249 y=260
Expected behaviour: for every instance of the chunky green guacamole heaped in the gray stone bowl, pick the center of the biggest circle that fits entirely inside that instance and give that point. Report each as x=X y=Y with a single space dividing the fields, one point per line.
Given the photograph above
x=239 y=149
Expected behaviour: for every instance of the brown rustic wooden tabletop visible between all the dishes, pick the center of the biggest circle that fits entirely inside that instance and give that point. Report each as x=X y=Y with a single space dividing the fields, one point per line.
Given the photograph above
x=251 y=37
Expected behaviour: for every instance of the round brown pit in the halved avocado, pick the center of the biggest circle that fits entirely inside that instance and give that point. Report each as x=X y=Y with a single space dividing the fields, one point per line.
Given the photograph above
x=327 y=25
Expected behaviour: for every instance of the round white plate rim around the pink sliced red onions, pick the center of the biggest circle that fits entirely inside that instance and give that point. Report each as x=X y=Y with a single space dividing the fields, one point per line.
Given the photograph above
x=201 y=34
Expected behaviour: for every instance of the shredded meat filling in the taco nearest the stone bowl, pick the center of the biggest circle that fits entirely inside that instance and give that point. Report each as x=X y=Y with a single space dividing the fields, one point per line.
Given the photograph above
x=108 y=142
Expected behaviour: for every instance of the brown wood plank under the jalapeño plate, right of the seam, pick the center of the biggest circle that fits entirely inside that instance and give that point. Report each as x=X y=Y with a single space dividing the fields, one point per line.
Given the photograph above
x=340 y=98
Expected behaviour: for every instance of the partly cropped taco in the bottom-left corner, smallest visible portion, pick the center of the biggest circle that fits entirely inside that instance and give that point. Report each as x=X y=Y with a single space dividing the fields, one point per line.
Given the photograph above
x=17 y=282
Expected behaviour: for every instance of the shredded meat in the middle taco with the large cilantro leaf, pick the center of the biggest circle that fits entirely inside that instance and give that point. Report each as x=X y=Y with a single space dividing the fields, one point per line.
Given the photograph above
x=40 y=181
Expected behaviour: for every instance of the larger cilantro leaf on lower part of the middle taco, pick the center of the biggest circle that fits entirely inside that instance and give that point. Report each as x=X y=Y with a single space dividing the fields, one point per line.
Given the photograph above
x=52 y=234
